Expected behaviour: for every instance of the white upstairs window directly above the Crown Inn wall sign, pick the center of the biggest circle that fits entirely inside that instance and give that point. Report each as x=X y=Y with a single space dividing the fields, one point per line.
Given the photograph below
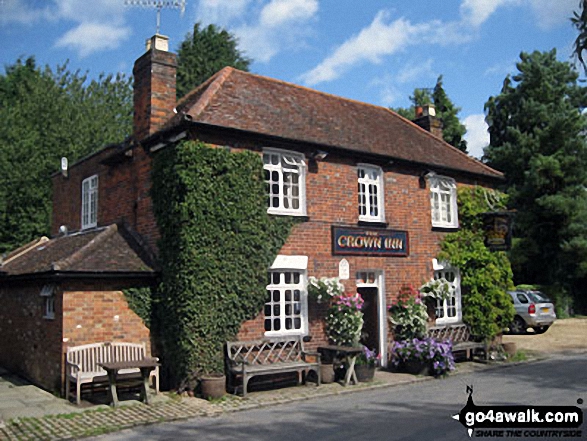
x=368 y=182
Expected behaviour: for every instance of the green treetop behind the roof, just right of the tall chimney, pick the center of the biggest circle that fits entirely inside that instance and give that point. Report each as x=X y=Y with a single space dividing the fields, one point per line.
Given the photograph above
x=203 y=53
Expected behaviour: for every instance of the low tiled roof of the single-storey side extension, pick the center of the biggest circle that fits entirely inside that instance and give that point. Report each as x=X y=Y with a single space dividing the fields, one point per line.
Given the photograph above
x=104 y=250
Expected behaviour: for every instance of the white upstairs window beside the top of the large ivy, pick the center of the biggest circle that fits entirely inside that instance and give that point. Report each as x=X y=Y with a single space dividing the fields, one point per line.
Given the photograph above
x=282 y=166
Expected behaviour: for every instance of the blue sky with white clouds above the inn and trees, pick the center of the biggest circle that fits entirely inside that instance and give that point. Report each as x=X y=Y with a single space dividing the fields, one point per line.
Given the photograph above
x=374 y=51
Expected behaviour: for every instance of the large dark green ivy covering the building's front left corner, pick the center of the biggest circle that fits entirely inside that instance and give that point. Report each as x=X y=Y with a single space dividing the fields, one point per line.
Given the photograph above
x=217 y=242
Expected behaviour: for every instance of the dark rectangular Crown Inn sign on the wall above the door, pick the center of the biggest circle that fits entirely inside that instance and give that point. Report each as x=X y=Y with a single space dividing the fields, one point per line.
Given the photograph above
x=369 y=242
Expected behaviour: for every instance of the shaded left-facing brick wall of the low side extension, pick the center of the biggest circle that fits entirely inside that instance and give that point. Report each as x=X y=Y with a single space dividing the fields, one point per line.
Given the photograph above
x=30 y=345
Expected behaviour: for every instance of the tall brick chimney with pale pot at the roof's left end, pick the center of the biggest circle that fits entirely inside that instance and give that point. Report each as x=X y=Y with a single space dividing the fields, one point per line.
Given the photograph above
x=154 y=87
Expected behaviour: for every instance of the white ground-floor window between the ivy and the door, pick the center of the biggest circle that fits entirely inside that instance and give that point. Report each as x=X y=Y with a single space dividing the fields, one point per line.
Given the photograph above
x=287 y=265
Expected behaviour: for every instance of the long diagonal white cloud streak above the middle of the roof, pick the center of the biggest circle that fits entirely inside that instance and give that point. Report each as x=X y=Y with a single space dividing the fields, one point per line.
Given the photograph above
x=371 y=44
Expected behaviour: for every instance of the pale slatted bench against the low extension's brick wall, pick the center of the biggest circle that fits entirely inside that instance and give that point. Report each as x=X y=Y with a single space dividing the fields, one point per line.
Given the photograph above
x=82 y=364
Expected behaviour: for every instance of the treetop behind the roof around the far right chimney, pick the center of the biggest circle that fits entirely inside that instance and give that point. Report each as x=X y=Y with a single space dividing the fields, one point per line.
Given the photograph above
x=453 y=131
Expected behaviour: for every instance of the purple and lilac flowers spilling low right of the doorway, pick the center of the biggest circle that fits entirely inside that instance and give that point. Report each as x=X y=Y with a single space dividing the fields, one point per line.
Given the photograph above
x=423 y=356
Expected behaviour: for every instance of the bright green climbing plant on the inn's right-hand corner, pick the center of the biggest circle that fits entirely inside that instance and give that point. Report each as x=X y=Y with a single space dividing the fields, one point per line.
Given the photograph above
x=485 y=276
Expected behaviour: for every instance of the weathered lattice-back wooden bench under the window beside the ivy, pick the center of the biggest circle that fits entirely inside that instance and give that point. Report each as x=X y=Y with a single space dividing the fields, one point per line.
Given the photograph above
x=248 y=359
